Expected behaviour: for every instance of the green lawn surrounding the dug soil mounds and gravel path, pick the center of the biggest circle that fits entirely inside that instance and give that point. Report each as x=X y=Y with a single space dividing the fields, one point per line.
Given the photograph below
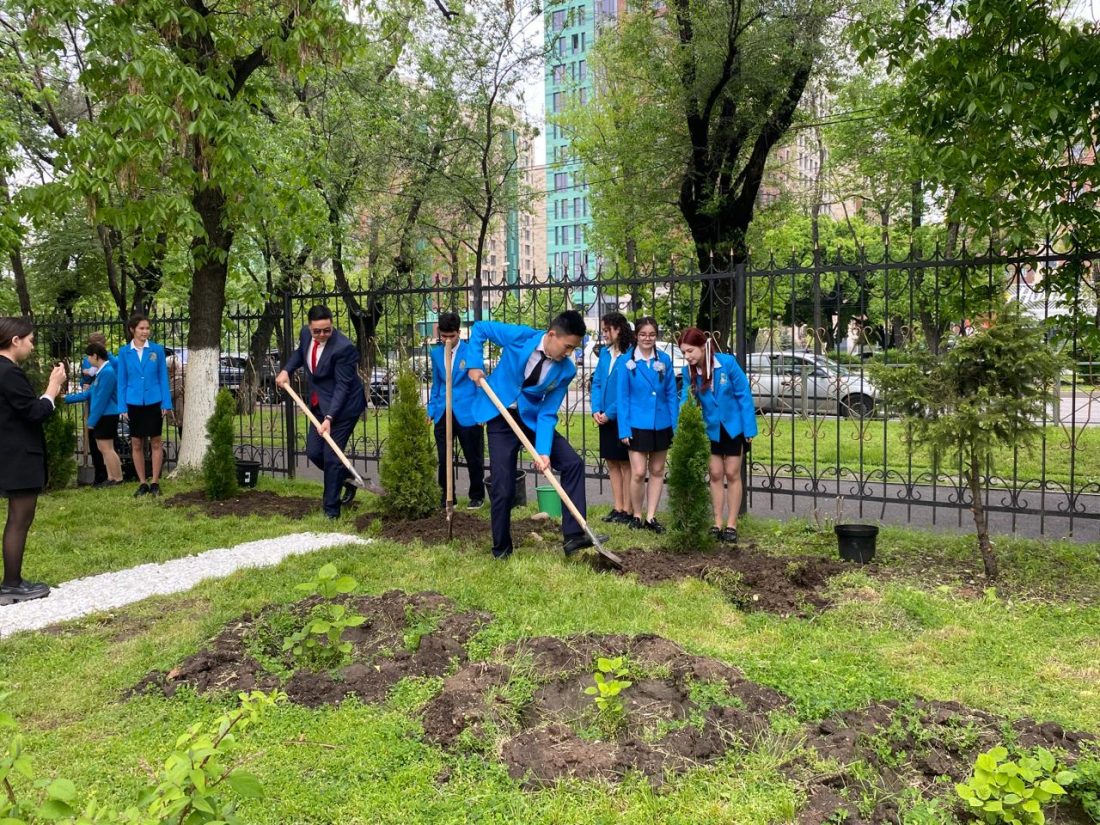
x=1016 y=652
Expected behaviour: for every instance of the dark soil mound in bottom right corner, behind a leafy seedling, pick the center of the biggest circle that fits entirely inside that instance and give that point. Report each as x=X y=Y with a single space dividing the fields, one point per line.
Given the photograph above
x=889 y=749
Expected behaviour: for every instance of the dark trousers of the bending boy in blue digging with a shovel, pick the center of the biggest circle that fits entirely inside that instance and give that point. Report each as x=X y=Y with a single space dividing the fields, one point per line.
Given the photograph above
x=503 y=454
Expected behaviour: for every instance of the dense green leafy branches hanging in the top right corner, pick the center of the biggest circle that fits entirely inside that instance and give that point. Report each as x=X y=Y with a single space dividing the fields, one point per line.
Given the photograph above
x=1003 y=96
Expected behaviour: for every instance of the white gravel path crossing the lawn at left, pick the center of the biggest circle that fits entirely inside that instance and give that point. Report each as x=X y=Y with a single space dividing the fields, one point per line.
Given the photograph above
x=83 y=597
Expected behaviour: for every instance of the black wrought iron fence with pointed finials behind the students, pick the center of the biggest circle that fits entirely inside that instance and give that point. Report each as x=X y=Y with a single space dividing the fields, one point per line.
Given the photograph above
x=806 y=332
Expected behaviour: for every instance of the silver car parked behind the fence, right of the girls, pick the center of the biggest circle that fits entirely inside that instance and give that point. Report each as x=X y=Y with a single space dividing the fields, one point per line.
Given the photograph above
x=796 y=382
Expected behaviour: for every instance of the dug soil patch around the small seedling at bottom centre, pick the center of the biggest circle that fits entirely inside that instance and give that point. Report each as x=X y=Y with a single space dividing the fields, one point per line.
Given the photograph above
x=681 y=711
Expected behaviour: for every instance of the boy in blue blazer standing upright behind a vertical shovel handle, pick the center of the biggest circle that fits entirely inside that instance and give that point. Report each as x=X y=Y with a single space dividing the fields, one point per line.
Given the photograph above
x=464 y=391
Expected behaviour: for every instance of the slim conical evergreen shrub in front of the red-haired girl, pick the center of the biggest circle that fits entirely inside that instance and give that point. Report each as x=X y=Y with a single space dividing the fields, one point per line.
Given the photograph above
x=690 y=518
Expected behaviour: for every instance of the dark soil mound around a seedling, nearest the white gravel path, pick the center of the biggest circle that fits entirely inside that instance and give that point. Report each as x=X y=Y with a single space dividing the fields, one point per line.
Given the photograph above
x=420 y=635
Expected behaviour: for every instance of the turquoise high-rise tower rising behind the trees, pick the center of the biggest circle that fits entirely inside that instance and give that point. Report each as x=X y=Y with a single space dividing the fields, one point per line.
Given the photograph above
x=573 y=28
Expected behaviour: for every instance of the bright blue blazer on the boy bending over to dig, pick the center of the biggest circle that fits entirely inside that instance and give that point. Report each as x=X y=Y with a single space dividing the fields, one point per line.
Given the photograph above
x=538 y=405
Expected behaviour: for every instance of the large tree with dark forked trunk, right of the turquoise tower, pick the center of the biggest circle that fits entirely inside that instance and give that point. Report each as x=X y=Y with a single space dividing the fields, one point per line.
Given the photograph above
x=724 y=81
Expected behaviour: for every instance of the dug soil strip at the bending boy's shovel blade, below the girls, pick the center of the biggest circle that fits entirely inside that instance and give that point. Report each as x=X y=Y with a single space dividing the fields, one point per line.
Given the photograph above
x=752 y=580
